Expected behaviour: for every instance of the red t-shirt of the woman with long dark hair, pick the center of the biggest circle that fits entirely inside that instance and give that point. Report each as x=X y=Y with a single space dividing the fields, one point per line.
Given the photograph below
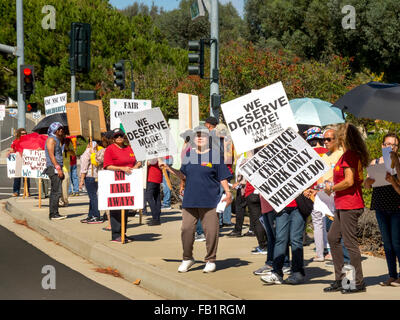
x=351 y=198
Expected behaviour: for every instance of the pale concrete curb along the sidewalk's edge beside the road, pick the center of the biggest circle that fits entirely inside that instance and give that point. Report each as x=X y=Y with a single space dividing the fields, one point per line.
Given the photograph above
x=162 y=282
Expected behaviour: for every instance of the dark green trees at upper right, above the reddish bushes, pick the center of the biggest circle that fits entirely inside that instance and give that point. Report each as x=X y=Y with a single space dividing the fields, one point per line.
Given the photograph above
x=313 y=29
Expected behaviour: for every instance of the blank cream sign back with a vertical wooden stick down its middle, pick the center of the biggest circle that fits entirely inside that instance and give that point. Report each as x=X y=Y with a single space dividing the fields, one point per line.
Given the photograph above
x=188 y=110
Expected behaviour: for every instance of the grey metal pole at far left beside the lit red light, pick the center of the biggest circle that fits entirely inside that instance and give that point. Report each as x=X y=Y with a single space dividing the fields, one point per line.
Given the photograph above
x=20 y=61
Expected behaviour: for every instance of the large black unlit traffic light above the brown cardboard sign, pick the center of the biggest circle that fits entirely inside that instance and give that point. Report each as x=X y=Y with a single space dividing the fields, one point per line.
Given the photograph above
x=79 y=48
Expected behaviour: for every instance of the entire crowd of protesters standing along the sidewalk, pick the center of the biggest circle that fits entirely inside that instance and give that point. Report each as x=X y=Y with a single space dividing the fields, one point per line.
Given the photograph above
x=335 y=202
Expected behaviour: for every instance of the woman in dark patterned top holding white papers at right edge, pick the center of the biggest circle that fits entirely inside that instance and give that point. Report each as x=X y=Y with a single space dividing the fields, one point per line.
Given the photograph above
x=386 y=203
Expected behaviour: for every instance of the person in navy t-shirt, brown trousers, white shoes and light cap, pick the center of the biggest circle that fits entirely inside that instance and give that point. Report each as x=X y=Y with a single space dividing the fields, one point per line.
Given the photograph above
x=202 y=171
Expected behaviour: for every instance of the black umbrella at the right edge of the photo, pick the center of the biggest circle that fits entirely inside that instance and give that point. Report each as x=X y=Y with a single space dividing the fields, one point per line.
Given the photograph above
x=373 y=100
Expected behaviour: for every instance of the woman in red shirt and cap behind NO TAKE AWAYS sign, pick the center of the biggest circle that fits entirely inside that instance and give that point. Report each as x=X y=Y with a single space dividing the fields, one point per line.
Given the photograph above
x=119 y=157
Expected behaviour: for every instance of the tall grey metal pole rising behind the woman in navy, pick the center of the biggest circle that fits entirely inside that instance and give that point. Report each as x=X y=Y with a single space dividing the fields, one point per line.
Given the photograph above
x=214 y=59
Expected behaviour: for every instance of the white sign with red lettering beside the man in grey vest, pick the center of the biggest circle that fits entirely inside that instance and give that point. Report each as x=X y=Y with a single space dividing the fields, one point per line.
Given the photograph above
x=33 y=164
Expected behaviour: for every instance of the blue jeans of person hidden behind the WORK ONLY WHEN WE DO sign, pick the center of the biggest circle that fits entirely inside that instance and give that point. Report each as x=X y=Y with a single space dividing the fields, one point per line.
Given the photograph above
x=289 y=229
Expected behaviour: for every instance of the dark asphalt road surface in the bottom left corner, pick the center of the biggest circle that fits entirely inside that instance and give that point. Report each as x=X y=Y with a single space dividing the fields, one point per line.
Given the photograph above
x=23 y=274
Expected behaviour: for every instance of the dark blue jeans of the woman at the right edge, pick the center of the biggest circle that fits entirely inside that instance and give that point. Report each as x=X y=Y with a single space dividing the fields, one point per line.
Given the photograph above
x=389 y=225
